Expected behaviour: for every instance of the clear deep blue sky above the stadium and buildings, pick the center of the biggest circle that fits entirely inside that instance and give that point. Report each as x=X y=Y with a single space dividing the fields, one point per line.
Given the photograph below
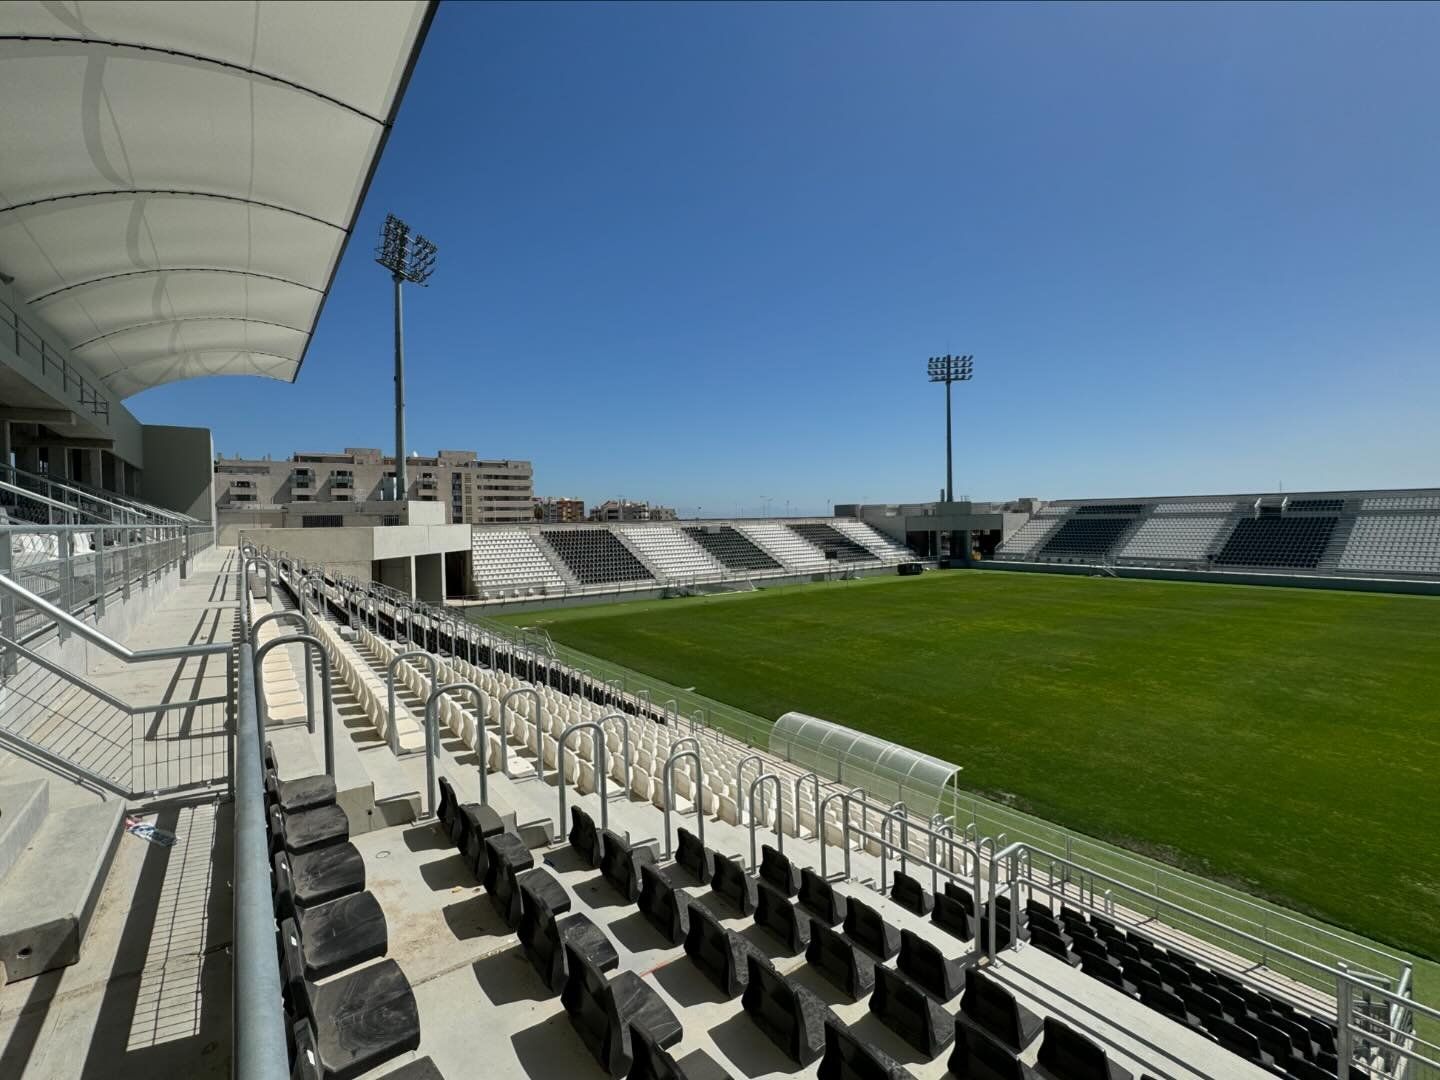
x=701 y=254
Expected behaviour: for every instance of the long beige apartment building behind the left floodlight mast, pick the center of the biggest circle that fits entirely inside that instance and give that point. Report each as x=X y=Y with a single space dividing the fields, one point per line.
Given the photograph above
x=474 y=490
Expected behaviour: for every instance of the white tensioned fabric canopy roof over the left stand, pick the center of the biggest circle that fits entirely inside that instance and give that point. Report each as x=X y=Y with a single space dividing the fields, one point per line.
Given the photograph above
x=178 y=181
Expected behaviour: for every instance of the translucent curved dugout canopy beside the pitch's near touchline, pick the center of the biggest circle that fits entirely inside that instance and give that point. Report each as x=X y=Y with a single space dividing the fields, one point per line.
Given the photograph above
x=888 y=771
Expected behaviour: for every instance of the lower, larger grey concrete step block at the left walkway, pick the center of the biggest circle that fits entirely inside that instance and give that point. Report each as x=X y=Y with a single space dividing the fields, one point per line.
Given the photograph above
x=50 y=895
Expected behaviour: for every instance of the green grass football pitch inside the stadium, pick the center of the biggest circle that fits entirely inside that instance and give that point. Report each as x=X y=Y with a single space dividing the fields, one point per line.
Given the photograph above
x=1285 y=741
